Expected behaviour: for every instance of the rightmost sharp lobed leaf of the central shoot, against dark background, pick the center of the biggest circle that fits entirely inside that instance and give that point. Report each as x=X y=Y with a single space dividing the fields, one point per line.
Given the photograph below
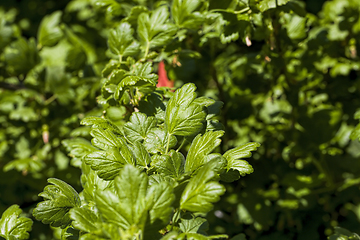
x=244 y=151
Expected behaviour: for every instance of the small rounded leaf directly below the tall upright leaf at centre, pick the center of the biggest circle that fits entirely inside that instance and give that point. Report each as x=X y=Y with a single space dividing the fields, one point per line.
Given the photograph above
x=157 y=140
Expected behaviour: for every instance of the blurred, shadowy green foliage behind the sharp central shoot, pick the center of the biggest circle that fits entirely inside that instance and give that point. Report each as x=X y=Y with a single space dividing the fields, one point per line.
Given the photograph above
x=287 y=72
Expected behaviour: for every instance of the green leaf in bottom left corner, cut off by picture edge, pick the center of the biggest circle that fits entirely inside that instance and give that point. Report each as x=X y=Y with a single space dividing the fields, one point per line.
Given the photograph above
x=12 y=226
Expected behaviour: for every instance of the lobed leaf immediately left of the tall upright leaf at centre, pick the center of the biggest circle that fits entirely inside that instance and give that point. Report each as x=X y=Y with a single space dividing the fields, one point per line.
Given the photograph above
x=138 y=127
